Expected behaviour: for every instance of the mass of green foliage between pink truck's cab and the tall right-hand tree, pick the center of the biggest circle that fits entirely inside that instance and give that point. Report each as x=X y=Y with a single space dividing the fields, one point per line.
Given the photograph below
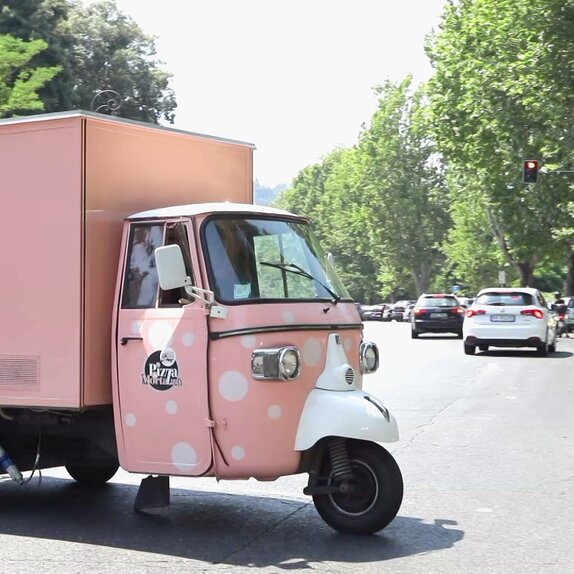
x=380 y=207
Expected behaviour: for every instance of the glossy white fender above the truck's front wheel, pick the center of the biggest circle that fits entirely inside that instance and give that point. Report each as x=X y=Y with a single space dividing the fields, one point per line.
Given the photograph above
x=349 y=414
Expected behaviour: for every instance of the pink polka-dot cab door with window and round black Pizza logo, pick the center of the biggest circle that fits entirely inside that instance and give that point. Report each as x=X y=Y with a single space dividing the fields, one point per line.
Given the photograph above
x=161 y=342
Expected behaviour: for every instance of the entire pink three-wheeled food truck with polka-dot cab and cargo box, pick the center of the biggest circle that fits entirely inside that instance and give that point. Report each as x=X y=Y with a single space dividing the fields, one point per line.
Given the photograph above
x=154 y=319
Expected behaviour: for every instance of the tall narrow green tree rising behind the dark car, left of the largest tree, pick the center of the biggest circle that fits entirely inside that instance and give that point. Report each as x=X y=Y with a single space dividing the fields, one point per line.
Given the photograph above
x=404 y=190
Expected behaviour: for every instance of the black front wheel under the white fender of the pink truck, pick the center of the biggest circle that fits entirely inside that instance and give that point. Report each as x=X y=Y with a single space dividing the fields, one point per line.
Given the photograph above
x=375 y=495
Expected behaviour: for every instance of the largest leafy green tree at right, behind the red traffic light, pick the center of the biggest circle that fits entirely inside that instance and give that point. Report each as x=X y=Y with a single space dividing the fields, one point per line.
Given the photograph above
x=503 y=92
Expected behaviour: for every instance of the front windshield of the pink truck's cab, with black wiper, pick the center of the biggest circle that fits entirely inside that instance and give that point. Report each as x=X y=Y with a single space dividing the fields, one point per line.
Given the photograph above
x=256 y=258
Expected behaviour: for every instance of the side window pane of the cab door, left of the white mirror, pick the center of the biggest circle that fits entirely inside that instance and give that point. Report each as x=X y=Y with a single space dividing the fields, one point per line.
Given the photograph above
x=141 y=283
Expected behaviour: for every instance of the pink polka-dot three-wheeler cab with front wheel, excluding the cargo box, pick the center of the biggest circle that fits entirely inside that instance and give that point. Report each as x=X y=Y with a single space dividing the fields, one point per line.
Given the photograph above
x=249 y=365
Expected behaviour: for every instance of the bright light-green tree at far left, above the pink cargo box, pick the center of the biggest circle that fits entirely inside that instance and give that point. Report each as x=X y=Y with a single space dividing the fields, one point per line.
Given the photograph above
x=19 y=82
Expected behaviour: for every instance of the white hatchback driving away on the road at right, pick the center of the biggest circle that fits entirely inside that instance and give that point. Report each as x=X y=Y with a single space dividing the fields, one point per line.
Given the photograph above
x=509 y=317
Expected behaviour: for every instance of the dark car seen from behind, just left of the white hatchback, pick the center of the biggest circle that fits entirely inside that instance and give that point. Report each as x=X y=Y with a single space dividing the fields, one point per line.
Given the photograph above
x=437 y=313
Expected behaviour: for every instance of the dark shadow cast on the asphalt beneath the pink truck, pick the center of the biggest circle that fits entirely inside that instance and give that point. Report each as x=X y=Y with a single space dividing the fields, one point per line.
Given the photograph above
x=241 y=530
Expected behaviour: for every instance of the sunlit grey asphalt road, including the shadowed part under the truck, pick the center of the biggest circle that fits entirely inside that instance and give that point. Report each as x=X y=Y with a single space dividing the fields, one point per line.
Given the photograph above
x=487 y=459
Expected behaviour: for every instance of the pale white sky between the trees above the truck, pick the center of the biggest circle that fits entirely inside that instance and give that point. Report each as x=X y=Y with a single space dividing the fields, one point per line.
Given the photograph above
x=293 y=77
